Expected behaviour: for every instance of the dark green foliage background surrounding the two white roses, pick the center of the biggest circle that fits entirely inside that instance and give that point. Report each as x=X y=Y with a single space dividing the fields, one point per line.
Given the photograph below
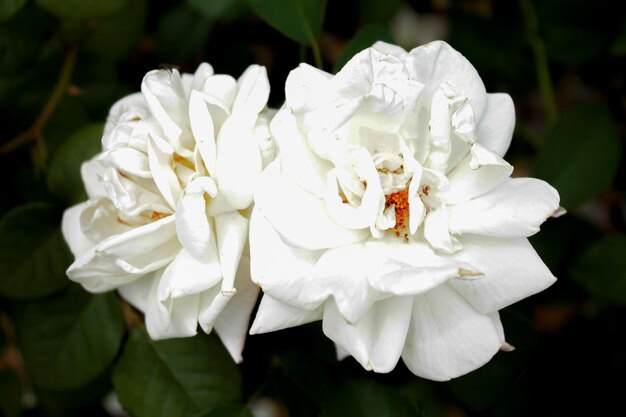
x=63 y=63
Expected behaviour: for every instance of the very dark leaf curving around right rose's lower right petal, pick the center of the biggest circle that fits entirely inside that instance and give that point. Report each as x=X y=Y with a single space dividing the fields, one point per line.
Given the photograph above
x=482 y=388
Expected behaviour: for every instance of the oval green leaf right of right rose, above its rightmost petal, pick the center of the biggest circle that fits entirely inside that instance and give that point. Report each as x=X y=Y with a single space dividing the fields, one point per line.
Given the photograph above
x=580 y=154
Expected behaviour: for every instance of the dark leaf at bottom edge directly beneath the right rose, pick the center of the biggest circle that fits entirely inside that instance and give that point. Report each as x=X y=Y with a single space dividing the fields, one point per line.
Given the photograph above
x=367 y=398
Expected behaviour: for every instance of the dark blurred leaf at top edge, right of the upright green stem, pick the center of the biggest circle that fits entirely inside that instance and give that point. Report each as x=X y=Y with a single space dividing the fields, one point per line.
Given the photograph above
x=574 y=30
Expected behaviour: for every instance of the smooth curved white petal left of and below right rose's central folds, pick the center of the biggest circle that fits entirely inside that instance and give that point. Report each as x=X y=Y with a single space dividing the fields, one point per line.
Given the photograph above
x=300 y=217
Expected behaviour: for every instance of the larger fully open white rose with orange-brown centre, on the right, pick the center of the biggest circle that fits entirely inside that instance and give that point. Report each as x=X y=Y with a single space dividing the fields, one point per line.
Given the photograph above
x=390 y=214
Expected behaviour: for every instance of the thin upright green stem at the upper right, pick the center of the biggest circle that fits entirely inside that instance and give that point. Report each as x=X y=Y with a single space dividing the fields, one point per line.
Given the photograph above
x=541 y=61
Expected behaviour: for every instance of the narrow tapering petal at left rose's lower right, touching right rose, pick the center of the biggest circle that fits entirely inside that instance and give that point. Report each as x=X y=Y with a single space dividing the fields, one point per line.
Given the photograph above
x=232 y=233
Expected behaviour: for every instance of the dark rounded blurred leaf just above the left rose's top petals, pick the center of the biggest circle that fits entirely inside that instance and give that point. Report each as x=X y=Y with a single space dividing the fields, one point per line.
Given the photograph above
x=181 y=23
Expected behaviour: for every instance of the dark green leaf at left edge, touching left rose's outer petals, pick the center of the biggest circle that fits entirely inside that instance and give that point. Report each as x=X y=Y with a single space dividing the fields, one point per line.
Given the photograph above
x=33 y=255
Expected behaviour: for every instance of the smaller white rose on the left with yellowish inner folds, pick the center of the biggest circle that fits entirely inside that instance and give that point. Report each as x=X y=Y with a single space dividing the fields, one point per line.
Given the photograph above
x=166 y=223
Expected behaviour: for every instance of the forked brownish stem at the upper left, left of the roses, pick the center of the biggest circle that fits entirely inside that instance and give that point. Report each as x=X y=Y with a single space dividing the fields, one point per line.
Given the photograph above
x=35 y=132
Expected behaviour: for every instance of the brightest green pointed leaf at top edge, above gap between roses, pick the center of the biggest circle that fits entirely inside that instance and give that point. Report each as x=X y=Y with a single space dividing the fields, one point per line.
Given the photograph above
x=300 y=20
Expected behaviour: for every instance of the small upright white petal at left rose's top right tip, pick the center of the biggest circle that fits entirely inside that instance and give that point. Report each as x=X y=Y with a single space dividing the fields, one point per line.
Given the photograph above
x=253 y=91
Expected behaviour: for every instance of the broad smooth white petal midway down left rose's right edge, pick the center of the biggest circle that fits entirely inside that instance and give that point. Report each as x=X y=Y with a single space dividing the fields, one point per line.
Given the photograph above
x=238 y=161
